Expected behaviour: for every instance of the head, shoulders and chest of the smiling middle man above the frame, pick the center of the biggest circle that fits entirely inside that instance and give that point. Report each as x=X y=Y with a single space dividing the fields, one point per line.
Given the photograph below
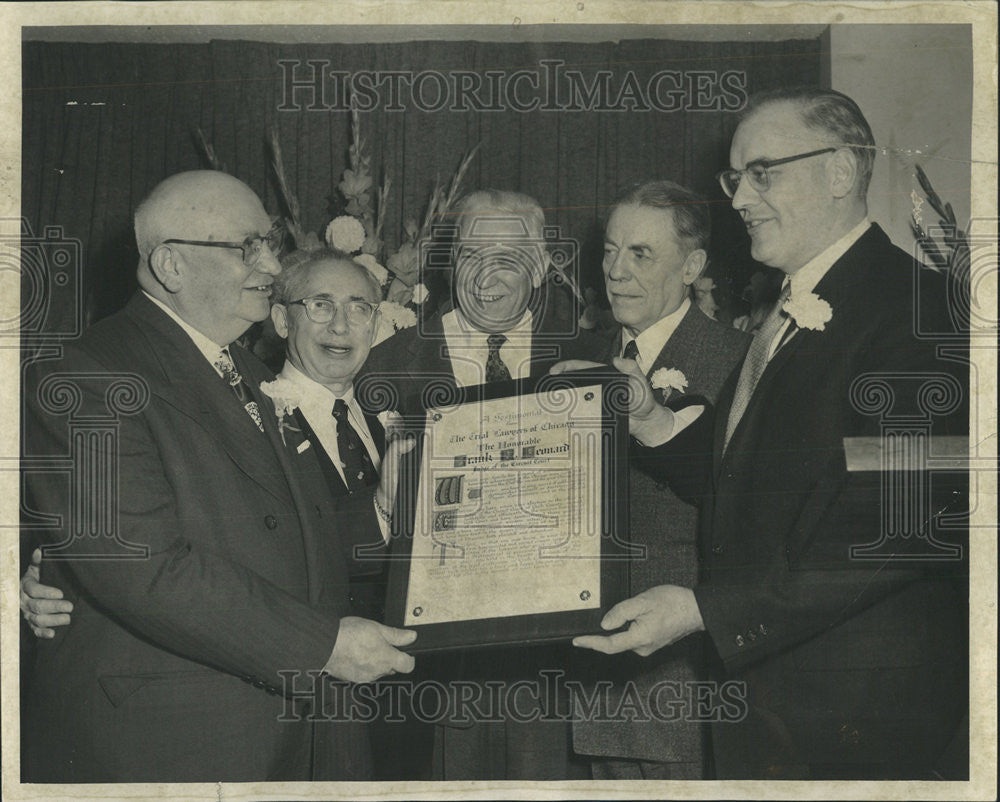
x=501 y=326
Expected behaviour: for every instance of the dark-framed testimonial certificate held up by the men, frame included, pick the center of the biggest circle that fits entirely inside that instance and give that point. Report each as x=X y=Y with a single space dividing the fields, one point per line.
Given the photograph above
x=511 y=518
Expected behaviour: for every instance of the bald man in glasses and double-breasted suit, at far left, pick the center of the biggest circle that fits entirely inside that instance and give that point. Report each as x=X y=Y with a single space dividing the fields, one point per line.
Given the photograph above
x=170 y=671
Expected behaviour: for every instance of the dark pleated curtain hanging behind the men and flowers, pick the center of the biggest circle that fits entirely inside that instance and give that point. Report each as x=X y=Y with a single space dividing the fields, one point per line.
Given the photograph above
x=103 y=124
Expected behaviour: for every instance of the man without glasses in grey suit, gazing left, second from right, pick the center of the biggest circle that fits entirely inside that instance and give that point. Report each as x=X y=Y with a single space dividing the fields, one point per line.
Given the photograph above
x=654 y=249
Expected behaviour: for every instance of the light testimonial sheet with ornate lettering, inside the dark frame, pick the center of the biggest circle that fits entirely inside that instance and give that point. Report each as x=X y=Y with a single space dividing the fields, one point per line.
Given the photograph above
x=508 y=513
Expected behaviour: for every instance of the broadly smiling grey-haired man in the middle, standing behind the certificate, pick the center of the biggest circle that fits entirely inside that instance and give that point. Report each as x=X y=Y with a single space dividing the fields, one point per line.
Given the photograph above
x=500 y=328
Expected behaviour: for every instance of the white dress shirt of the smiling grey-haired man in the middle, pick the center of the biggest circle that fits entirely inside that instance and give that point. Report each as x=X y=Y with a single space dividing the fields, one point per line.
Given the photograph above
x=468 y=349
